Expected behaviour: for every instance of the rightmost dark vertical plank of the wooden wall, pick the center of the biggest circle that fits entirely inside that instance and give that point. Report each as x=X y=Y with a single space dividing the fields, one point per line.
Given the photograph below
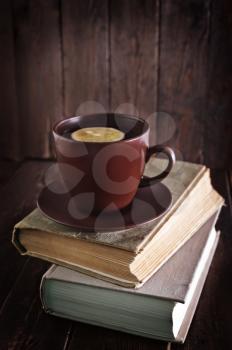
x=218 y=123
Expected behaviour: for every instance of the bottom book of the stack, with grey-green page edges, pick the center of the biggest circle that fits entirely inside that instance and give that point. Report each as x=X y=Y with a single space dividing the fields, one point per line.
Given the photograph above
x=162 y=308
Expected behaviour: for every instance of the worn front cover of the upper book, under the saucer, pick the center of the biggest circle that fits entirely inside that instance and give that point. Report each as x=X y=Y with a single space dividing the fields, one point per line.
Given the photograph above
x=180 y=182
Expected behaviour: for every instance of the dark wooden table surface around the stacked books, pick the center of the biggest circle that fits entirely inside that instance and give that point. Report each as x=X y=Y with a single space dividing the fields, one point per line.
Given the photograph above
x=24 y=325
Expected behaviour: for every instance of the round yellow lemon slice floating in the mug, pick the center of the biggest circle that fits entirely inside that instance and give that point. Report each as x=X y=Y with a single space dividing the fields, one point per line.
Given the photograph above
x=97 y=134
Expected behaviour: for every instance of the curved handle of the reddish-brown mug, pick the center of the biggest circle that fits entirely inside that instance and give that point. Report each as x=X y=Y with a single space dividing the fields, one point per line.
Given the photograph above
x=147 y=181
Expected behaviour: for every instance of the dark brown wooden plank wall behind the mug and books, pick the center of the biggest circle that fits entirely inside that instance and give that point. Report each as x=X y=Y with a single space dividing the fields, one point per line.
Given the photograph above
x=62 y=57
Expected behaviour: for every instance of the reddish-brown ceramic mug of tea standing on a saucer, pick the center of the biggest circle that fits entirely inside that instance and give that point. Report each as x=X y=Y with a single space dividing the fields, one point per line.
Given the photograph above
x=108 y=173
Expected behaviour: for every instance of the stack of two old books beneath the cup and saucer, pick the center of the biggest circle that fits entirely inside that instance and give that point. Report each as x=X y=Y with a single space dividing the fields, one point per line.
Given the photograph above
x=145 y=280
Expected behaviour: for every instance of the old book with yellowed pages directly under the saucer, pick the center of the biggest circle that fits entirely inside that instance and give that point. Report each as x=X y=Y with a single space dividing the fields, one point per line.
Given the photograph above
x=126 y=257
